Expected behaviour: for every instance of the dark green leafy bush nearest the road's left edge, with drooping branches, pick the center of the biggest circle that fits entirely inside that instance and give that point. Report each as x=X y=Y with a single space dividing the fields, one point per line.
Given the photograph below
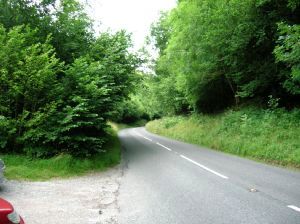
x=76 y=122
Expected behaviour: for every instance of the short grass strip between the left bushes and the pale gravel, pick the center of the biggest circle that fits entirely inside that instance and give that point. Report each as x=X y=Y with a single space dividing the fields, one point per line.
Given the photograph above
x=62 y=166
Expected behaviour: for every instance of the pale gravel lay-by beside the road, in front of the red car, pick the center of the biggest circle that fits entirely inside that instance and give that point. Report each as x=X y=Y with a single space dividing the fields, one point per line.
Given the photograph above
x=90 y=199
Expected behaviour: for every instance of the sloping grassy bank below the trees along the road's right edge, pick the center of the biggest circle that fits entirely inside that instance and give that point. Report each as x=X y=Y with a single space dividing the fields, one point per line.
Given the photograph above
x=271 y=136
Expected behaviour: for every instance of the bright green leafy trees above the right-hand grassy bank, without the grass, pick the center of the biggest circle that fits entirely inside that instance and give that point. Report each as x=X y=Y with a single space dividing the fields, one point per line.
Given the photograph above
x=214 y=54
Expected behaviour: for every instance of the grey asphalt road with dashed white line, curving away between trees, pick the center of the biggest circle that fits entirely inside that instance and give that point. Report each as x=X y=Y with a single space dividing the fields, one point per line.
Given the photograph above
x=170 y=182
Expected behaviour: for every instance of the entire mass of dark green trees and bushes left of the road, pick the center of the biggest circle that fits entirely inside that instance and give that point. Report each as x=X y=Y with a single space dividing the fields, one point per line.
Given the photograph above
x=59 y=83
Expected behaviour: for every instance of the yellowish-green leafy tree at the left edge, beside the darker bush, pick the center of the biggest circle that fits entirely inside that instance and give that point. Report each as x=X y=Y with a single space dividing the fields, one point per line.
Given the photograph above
x=28 y=78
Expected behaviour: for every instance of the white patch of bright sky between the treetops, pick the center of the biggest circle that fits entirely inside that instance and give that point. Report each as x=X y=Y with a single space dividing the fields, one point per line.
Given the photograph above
x=135 y=16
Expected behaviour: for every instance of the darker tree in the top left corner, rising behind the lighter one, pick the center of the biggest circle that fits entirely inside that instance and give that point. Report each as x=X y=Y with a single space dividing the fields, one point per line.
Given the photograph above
x=65 y=21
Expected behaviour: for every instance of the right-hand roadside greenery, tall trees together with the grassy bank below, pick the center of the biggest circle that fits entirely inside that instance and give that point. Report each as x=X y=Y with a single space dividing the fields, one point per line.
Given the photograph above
x=228 y=77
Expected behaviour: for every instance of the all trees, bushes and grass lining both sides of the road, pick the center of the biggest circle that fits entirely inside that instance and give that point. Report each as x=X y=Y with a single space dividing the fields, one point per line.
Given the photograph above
x=61 y=83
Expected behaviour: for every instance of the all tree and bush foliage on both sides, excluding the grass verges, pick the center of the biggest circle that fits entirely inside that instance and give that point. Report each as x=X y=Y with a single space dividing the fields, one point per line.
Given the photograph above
x=60 y=83
